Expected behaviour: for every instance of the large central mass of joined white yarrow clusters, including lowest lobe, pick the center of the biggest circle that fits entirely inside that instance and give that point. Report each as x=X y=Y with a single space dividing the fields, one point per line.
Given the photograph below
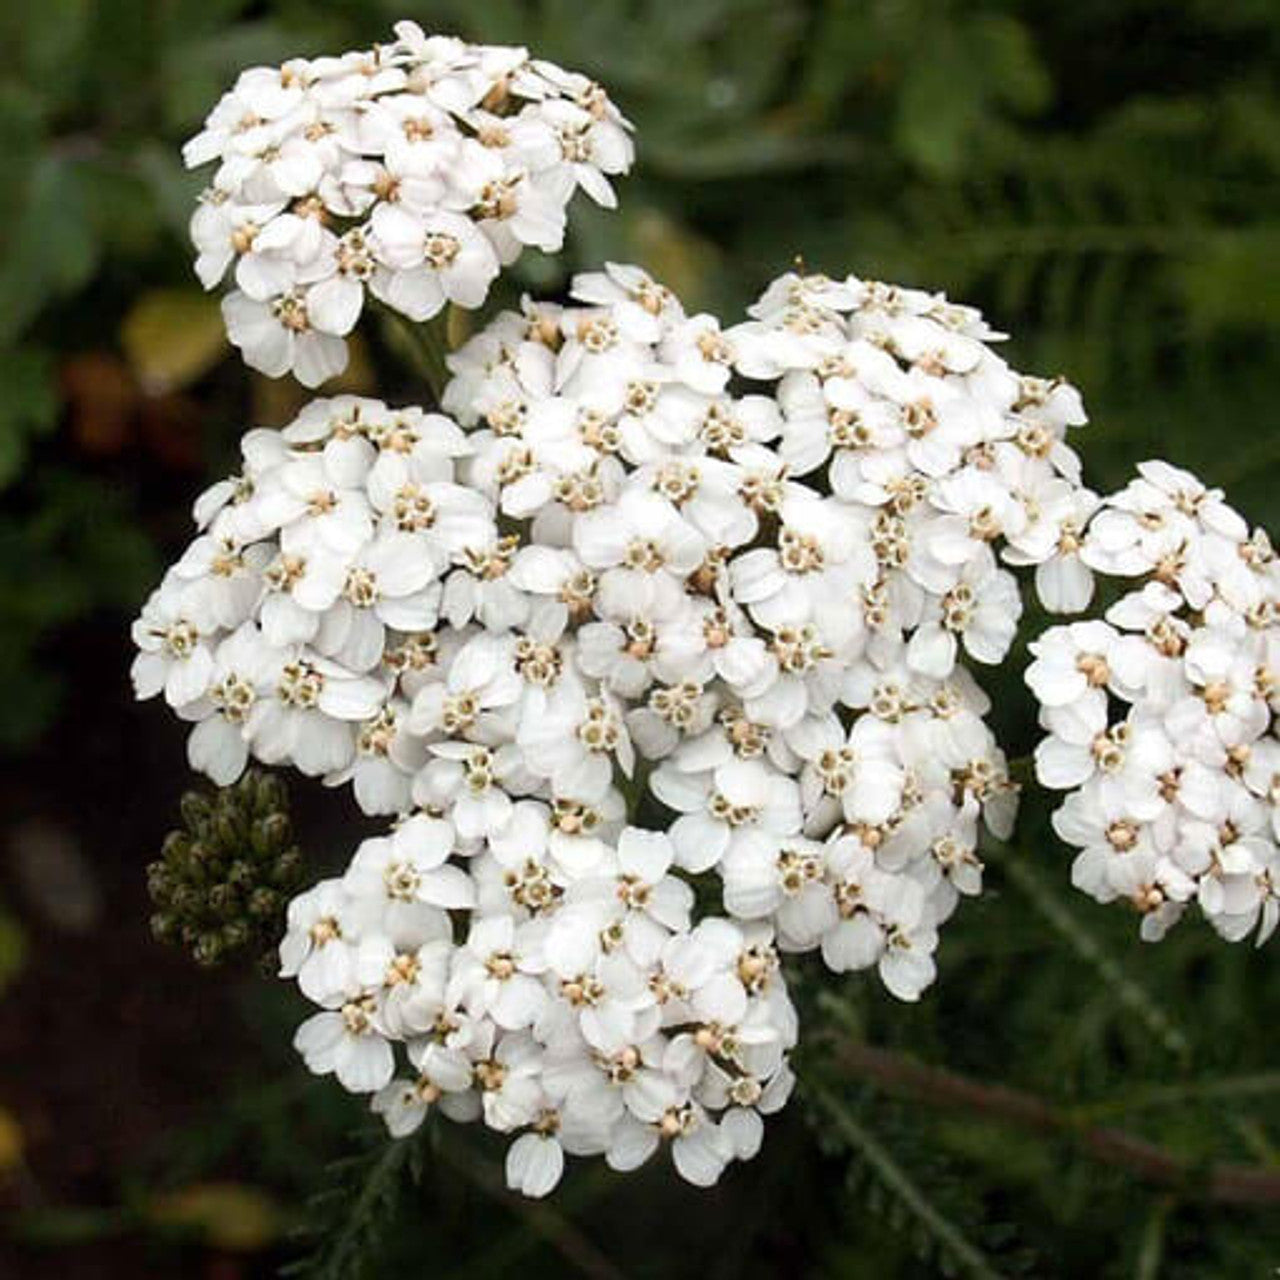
x=600 y=600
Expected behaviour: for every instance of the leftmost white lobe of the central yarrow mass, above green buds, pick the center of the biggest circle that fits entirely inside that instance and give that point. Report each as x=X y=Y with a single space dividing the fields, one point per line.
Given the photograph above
x=296 y=624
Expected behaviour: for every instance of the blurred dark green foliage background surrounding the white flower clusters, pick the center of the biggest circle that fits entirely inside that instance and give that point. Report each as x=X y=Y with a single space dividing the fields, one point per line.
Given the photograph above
x=1103 y=177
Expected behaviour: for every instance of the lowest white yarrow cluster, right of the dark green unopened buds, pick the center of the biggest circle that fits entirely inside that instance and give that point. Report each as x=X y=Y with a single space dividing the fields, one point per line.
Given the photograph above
x=573 y=1007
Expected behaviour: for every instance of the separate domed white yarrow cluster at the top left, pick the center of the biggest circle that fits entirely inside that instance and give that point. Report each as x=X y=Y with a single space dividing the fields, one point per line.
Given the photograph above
x=413 y=172
